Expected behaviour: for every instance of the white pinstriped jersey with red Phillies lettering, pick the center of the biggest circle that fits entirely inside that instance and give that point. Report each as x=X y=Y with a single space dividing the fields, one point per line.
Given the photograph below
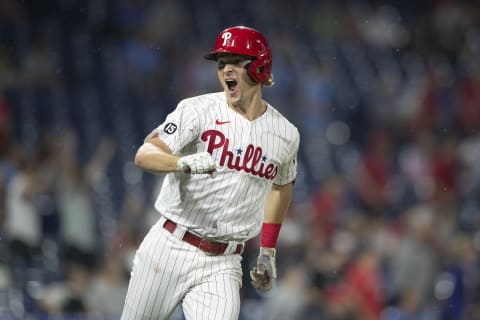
x=250 y=156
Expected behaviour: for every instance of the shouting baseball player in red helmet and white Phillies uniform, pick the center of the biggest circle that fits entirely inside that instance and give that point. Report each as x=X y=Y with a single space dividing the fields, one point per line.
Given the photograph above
x=230 y=162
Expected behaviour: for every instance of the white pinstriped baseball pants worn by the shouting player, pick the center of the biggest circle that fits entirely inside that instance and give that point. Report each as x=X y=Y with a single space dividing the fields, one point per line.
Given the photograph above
x=168 y=271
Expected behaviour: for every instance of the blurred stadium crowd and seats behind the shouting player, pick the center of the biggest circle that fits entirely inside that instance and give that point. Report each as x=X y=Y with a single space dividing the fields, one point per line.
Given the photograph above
x=385 y=220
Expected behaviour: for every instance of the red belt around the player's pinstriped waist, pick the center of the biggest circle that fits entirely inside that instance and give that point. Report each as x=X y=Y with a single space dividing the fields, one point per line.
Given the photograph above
x=209 y=247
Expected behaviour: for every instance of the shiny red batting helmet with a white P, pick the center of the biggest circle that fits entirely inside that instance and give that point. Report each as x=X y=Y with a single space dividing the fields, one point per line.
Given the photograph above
x=248 y=42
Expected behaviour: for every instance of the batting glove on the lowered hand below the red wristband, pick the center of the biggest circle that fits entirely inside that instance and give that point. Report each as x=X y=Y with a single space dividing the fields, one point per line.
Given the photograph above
x=263 y=275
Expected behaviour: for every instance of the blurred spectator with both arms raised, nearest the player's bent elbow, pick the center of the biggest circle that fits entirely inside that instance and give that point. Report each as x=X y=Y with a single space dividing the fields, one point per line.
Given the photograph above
x=78 y=220
